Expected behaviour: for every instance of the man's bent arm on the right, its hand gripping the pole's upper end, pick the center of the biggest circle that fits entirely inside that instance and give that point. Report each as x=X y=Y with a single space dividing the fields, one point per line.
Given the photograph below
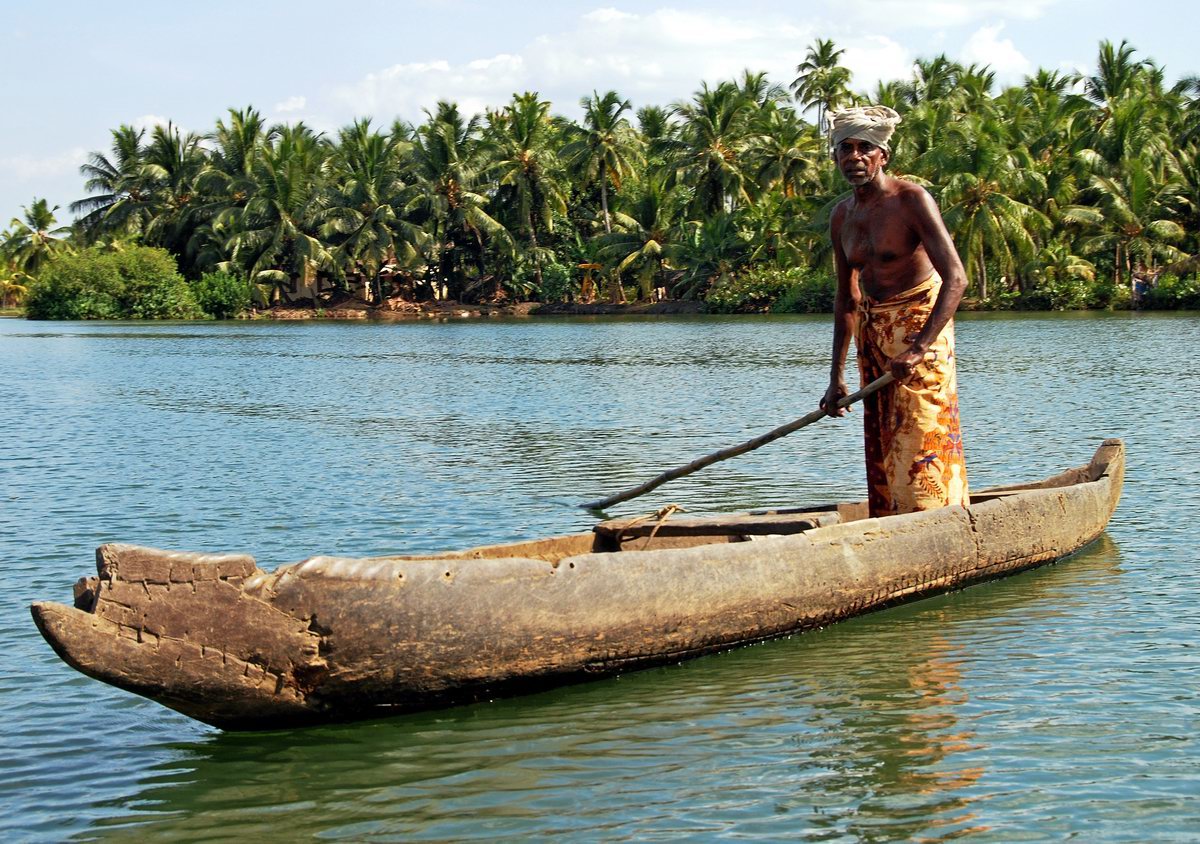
x=928 y=223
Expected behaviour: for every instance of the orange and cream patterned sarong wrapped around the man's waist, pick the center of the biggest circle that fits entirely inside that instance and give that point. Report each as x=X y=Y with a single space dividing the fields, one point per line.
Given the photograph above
x=914 y=442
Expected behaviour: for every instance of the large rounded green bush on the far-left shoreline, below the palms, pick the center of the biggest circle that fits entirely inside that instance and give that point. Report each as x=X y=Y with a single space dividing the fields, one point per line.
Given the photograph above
x=139 y=283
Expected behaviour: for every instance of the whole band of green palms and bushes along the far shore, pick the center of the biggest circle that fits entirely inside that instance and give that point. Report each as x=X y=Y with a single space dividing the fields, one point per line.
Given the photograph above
x=1067 y=191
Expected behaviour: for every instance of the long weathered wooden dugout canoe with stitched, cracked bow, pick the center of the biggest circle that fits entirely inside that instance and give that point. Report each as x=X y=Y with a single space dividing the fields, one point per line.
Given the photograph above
x=337 y=639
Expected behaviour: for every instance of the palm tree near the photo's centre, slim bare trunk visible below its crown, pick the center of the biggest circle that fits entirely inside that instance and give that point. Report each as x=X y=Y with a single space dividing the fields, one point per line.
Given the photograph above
x=605 y=148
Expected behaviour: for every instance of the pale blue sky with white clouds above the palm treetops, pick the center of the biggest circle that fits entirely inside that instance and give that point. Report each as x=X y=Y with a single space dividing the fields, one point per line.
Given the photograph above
x=76 y=70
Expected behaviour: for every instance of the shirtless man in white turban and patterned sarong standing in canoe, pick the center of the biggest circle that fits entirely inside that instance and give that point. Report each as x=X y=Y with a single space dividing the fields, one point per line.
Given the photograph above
x=899 y=283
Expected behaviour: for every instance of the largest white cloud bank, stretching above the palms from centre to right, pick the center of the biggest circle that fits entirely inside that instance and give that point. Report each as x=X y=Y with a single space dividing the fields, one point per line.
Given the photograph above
x=662 y=56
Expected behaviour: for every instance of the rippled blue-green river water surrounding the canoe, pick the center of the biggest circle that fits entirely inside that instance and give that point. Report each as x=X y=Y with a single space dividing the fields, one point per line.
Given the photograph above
x=1061 y=703
